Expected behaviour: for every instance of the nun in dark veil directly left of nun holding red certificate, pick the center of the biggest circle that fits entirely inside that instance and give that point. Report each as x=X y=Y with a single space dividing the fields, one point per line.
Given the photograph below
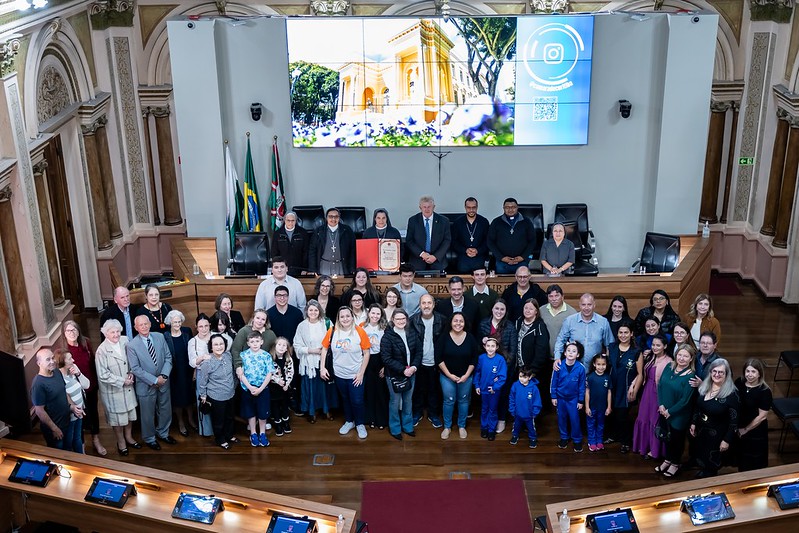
x=332 y=250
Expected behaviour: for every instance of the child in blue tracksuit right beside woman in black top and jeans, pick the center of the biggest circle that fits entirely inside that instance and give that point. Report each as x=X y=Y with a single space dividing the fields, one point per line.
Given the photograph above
x=489 y=378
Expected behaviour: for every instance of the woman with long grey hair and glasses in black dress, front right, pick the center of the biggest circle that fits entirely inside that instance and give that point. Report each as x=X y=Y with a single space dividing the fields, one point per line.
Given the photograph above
x=715 y=418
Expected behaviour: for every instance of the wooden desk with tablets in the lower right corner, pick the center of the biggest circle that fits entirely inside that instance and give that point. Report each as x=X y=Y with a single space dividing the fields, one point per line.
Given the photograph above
x=746 y=491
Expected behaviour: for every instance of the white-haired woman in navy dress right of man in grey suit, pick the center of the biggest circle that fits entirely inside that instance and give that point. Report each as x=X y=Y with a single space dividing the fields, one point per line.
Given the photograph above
x=181 y=383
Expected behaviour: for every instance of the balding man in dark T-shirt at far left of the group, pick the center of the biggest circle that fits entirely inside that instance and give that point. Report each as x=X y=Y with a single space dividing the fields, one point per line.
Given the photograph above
x=50 y=401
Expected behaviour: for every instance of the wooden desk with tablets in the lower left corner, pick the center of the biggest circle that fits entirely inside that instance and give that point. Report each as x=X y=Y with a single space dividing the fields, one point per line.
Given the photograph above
x=151 y=510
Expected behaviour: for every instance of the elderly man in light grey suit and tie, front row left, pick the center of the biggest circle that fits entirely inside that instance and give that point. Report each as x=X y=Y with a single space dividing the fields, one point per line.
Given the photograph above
x=150 y=361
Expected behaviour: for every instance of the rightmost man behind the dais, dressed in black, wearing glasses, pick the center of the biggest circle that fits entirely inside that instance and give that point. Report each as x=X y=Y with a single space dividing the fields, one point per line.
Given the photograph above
x=511 y=238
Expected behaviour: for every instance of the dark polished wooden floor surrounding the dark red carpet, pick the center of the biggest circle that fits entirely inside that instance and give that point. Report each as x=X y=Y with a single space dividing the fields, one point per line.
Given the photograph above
x=751 y=326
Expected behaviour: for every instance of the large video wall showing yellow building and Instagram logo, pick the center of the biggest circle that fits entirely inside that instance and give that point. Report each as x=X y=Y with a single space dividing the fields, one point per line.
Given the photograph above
x=455 y=81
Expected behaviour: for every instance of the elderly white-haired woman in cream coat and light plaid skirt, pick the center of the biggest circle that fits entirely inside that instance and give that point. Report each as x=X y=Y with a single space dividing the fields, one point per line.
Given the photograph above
x=116 y=385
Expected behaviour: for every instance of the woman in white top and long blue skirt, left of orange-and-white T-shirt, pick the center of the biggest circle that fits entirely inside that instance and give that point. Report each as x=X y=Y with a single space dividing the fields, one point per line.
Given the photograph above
x=308 y=348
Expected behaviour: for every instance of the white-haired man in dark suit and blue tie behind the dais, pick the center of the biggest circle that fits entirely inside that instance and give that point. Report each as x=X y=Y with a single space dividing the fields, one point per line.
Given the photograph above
x=428 y=237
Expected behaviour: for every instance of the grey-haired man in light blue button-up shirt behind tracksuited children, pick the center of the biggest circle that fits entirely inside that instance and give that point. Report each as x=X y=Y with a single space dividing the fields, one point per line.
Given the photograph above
x=588 y=328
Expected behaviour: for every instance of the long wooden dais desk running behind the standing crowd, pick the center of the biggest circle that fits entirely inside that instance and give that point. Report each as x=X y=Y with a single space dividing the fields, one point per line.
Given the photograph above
x=691 y=277
